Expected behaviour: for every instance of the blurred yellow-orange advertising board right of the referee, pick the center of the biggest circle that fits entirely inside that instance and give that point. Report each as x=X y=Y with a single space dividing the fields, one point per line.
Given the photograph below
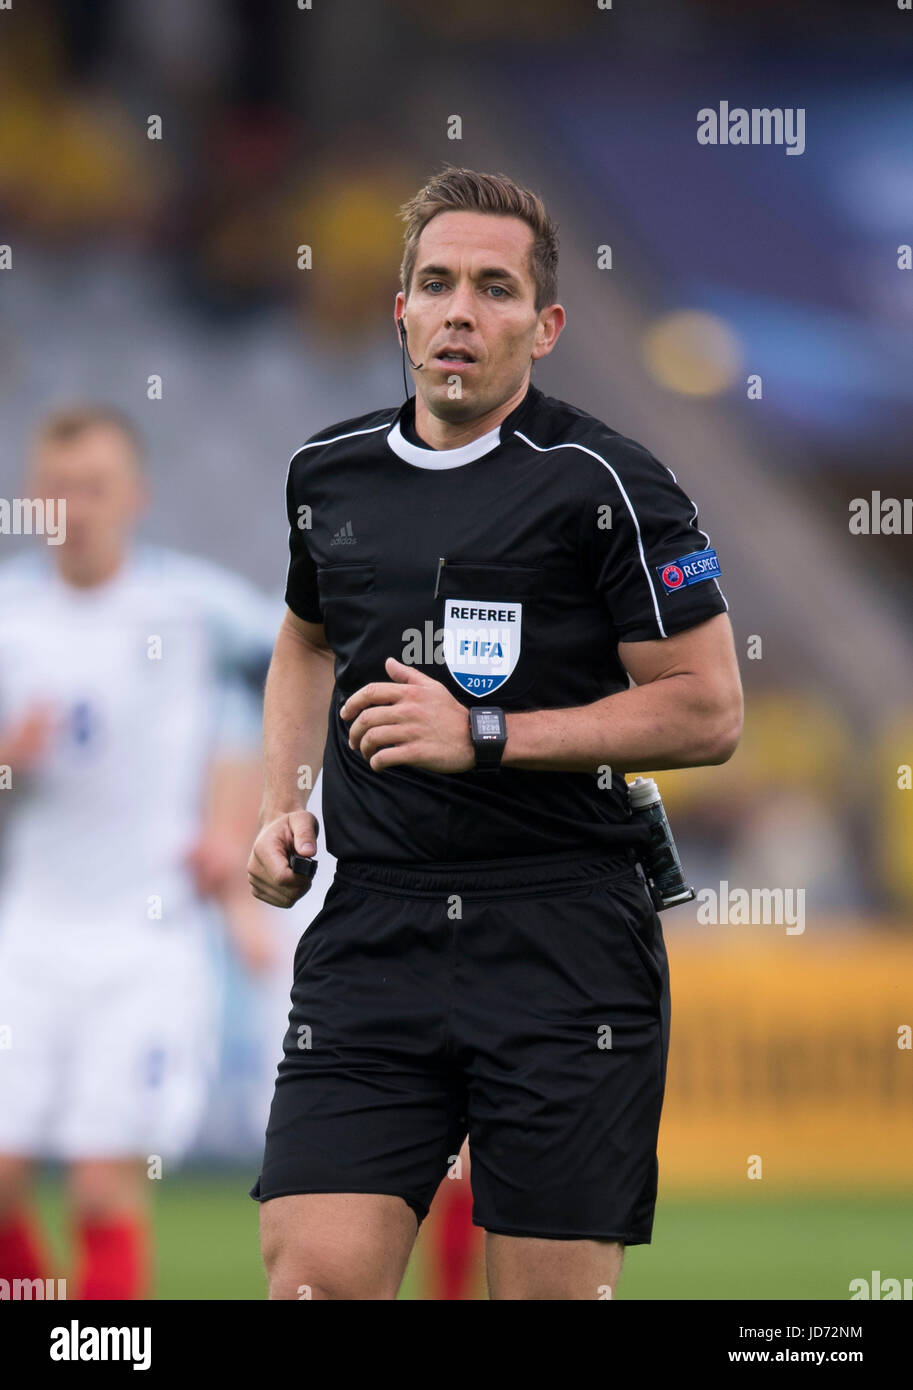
x=790 y=1058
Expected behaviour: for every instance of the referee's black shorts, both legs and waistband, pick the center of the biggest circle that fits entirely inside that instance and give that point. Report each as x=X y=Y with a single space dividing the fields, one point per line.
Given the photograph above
x=525 y=1003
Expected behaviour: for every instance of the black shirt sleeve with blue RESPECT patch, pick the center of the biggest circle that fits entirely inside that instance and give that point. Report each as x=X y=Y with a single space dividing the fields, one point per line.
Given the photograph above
x=643 y=550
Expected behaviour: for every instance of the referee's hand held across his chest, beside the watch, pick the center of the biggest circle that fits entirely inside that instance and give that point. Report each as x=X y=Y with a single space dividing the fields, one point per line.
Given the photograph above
x=413 y=722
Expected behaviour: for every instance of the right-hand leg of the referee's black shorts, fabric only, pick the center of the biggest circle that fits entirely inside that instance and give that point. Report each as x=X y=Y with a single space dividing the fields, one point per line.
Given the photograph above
x=565 y=1020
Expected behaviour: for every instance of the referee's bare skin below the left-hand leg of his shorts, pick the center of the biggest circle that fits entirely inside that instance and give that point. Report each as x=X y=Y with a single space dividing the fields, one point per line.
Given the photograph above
x=352 y=1246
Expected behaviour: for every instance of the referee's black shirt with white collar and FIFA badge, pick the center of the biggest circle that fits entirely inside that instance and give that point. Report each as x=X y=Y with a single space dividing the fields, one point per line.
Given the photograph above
x=559 y=539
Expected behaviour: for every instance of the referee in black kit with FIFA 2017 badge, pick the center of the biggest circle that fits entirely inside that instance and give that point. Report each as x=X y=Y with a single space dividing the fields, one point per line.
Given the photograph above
x=473 y=579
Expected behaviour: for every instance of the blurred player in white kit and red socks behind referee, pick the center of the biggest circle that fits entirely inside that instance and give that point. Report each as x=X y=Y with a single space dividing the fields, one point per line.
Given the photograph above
x=129 y=675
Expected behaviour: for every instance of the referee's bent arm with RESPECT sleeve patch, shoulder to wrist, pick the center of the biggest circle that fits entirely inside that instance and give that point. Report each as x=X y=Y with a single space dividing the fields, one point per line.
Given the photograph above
x=686 y=708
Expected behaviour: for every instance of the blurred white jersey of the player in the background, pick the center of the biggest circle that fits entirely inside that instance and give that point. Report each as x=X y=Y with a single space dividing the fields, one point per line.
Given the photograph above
x=148 y=676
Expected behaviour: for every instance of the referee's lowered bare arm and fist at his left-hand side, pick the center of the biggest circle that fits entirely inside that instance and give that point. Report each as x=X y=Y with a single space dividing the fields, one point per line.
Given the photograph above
x=297 y=705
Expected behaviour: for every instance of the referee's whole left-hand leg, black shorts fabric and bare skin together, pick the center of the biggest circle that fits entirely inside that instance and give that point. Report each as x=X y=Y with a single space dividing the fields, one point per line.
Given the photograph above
x=368 y=1099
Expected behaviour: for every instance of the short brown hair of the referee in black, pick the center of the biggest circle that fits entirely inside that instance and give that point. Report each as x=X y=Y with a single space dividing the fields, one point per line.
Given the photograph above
x=465 y=191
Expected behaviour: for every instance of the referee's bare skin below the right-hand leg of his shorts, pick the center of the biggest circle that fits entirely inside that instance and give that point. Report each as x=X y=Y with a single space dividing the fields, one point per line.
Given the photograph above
x=527 y=1267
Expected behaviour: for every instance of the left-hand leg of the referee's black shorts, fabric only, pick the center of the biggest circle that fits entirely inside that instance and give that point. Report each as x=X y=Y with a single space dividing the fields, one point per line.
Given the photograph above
x=368 y=1102
